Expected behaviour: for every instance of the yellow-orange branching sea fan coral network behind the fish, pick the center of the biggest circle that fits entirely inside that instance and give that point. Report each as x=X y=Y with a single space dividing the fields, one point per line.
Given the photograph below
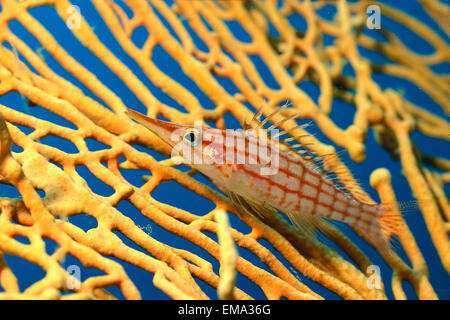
x=213 y=57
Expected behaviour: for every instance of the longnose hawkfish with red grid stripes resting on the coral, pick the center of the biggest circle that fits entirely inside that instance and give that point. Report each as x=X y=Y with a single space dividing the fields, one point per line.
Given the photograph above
x=262 y=174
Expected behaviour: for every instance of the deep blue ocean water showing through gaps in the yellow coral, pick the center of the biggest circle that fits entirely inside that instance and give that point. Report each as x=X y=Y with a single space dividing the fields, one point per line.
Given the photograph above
x=342 y=114
